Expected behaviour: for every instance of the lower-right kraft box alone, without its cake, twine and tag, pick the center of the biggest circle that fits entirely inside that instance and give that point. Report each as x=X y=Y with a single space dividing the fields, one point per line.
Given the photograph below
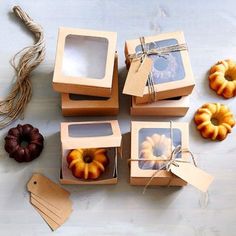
x=139 y=132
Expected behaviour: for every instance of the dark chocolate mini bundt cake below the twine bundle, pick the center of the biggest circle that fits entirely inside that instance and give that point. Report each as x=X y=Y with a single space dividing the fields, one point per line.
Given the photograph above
x=24 y=143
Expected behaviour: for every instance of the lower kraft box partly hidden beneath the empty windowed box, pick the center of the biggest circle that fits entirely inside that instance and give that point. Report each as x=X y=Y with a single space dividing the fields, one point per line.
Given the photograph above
x=84 y=105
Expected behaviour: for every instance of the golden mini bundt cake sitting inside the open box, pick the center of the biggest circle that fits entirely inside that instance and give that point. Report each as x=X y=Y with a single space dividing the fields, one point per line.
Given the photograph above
x=87 y=163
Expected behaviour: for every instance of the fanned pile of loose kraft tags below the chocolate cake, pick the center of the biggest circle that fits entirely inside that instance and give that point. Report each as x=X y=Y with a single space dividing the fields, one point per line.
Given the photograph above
x=50 y=200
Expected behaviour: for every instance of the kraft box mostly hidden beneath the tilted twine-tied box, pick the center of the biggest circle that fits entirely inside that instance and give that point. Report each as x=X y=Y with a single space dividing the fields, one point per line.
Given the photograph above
x=177 y=106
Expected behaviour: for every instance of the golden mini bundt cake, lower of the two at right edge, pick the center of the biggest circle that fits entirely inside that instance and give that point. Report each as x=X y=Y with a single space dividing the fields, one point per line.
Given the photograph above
x=214 y=121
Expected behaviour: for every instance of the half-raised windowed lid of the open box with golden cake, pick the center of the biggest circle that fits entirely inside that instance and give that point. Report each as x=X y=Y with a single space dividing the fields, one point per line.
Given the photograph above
x=90 y=134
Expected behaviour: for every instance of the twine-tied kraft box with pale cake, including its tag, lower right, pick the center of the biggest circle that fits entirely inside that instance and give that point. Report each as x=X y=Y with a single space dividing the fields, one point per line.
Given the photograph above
x=160 y=156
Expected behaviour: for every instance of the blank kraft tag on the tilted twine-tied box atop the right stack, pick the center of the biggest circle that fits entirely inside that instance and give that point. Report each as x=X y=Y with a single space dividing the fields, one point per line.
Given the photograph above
x=137 y=77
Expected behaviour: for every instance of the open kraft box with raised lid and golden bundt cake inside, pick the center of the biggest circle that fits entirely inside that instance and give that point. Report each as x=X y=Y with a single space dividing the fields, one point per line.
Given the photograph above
x=90 y=152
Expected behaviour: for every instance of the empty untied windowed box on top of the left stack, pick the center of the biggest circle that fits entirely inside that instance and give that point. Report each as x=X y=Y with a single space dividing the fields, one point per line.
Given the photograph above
x=80 y=83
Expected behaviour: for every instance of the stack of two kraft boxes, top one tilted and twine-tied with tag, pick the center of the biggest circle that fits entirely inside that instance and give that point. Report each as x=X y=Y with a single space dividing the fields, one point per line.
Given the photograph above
x=164 y=75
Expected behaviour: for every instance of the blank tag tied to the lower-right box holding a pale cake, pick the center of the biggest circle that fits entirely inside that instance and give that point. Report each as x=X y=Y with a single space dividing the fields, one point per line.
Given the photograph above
x=193 y=175
